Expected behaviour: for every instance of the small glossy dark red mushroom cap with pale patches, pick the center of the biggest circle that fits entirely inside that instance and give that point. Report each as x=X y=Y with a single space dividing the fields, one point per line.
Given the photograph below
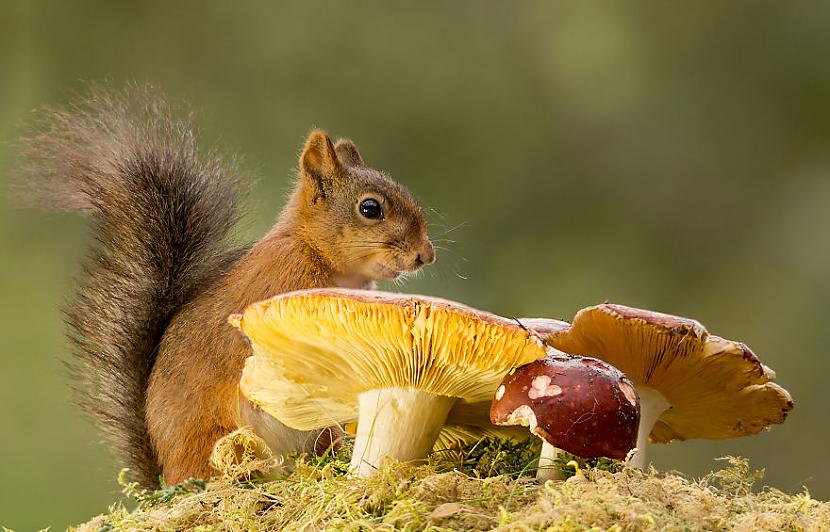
x=579 y=404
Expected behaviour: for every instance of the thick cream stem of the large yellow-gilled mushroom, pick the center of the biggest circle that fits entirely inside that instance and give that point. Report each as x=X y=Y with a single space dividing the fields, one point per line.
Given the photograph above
x=399 y=423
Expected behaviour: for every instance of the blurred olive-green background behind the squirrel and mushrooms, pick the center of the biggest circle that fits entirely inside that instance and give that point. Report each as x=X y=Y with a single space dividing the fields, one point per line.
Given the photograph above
x=664 y=155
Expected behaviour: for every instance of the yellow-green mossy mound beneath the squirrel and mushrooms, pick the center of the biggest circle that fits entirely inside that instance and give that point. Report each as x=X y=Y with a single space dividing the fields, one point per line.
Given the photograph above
x=487 y=486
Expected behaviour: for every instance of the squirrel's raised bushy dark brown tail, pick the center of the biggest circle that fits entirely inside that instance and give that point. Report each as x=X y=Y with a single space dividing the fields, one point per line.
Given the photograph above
x=162 y=215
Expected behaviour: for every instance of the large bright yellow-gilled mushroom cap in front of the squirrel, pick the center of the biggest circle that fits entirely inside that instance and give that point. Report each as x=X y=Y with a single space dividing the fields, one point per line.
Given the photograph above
x=315 y=351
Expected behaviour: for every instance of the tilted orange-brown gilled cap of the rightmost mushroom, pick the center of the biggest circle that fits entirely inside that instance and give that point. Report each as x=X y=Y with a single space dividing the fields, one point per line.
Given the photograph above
x=717 y=388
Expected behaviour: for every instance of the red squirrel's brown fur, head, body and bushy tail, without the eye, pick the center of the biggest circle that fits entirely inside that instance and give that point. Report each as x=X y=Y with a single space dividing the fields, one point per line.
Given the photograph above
x=157 y=361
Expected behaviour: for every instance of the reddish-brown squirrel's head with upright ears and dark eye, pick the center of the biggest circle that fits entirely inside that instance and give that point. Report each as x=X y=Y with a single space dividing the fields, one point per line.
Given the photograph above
x=365 y=224
